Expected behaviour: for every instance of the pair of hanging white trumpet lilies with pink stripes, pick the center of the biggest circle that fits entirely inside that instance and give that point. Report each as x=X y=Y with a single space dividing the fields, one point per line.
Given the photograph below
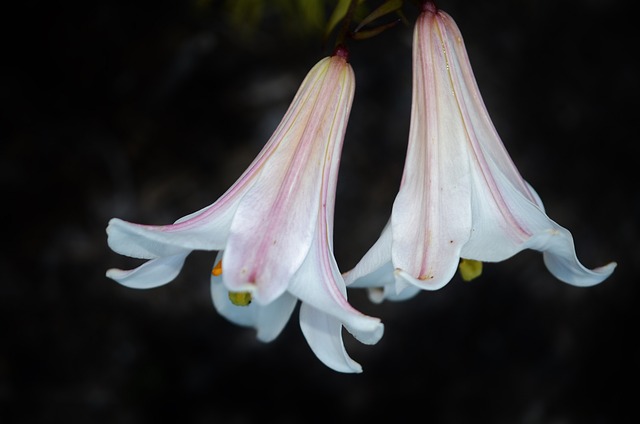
x=460 y=197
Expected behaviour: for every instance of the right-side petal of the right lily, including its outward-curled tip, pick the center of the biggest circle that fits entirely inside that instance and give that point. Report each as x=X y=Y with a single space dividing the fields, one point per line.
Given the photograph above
x=508 y=215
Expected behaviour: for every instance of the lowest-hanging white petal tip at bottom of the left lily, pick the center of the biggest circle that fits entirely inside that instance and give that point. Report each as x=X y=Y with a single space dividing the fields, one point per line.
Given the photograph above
x=324 y=335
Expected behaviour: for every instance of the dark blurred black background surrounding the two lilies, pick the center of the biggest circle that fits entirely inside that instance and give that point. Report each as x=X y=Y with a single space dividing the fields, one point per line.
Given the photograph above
x=149 y=111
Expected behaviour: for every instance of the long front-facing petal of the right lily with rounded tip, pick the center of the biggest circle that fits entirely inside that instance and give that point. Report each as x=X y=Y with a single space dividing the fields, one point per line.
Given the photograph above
x=431 y=217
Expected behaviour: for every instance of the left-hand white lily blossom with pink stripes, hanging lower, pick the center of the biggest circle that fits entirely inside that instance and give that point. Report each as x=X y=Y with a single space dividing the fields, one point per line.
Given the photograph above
x=273 y=229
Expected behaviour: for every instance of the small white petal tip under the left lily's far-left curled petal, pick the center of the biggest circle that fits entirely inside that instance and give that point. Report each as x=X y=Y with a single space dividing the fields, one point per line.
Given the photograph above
x=153 y=273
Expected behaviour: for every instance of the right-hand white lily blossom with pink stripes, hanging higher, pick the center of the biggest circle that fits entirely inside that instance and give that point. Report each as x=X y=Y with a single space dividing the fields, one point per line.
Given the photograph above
x=461 y=196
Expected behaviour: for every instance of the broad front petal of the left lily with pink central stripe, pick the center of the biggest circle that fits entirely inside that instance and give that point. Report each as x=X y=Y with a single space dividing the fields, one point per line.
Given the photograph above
x=274 y=225
